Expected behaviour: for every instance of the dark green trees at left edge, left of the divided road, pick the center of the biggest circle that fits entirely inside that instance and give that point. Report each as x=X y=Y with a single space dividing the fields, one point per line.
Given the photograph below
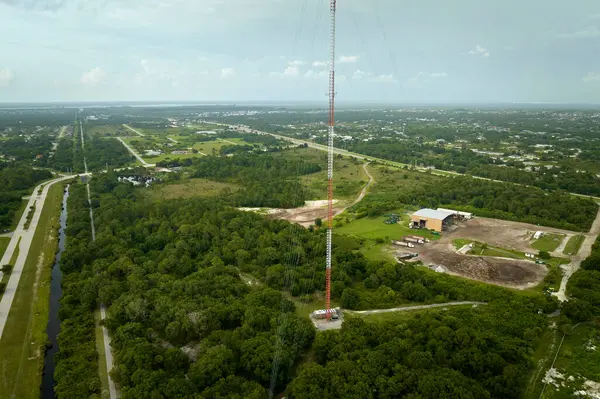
x=16 y=181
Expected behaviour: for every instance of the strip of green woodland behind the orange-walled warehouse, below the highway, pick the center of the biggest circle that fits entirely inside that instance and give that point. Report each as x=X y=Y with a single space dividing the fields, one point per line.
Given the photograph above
x=484 y=198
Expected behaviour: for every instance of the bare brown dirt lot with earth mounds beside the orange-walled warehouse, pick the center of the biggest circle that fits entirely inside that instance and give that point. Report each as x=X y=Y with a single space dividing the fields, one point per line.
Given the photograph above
x=501 y=271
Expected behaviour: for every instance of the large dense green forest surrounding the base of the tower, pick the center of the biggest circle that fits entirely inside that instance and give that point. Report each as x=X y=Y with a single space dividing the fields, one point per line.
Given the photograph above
x=185 y=324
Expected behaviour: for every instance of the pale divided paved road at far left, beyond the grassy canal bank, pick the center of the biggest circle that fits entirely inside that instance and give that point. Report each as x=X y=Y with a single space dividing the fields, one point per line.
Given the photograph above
x=26 y=236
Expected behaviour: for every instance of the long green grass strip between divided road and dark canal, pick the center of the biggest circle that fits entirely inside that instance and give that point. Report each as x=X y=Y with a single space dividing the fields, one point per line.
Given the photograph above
x=24 y=338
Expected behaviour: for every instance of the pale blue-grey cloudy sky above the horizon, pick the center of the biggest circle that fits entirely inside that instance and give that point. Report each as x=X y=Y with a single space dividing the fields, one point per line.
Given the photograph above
x=388 y=51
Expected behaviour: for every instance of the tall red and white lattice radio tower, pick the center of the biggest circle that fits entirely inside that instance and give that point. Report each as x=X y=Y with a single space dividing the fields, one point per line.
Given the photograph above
x=332 y=6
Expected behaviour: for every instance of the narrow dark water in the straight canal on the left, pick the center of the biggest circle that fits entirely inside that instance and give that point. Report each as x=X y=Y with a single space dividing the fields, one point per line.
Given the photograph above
x=53 y=328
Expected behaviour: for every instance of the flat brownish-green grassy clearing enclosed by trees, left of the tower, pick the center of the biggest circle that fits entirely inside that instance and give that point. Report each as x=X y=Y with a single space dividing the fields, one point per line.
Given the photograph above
x=189 y=188
